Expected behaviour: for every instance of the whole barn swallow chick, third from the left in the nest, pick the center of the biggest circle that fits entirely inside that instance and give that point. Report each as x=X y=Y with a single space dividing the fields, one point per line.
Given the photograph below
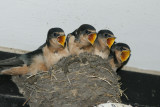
x=103 y=43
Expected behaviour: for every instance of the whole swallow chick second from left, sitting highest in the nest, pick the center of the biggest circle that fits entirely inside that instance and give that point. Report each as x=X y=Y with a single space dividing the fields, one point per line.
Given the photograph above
x=82 y=39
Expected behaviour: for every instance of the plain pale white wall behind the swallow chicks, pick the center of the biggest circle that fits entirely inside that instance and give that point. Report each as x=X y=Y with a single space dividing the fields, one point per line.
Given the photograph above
x=25 y=23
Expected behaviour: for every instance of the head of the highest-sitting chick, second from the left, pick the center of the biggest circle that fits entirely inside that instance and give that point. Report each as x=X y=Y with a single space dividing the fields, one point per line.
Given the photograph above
x=86 y=34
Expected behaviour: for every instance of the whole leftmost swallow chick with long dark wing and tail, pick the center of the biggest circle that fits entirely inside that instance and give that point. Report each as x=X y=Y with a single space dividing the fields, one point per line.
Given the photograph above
x=40 y=59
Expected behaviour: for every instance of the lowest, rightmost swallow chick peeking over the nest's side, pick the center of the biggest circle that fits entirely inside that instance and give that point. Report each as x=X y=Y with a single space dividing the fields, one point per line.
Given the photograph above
x=119 y=55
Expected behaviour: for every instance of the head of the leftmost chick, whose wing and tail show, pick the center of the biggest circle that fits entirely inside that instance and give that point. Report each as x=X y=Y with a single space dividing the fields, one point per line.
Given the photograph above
x=56 y=38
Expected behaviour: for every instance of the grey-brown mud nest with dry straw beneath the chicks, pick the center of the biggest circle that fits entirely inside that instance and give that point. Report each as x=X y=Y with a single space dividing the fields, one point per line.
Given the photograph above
x=76 y=81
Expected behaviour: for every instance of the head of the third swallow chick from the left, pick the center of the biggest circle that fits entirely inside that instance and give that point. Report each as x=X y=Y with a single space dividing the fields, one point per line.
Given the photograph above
x=106 y=38
